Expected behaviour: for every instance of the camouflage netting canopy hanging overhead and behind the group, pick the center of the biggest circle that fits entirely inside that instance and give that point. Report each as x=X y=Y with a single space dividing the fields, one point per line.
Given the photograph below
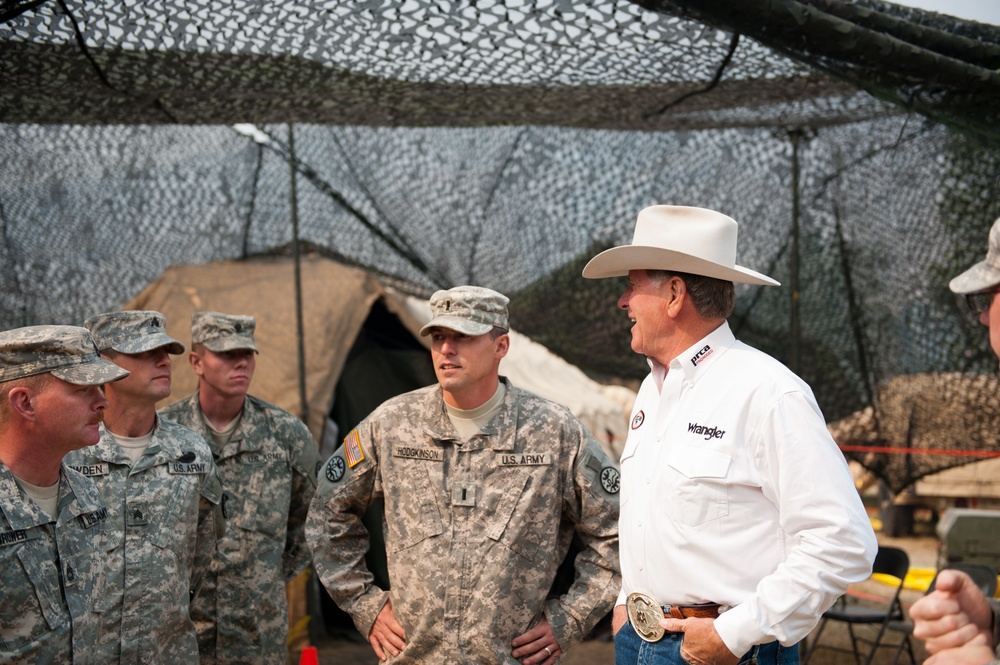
x=503 y=143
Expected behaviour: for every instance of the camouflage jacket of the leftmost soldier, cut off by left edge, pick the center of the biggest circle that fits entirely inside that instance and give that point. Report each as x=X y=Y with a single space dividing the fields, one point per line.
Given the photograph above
x=50 y=572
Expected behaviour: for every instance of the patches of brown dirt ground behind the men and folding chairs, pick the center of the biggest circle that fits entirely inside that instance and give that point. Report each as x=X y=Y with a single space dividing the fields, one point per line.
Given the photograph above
x=921 y=549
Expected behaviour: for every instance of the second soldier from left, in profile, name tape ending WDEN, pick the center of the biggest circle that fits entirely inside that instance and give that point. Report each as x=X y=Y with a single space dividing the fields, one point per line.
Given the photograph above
x=164 y=496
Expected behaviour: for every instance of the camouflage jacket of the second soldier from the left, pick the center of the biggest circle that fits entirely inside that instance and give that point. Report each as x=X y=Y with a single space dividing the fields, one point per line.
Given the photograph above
x=165 y=515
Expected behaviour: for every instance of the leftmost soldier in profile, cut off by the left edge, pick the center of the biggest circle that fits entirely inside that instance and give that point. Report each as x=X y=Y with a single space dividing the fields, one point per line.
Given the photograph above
x=52 y=519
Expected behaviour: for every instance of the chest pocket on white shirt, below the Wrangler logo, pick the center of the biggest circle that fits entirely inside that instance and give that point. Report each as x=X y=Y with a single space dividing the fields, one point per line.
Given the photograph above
x=697 y=485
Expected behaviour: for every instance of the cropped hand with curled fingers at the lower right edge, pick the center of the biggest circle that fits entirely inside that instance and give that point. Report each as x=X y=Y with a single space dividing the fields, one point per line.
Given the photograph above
x=953 y=615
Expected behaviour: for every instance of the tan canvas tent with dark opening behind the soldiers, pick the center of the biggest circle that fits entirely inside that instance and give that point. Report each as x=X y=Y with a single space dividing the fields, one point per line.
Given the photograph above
x=360 y=342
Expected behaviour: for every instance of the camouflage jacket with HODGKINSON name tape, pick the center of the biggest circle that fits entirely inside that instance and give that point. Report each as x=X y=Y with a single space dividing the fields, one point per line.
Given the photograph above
x=475 y=531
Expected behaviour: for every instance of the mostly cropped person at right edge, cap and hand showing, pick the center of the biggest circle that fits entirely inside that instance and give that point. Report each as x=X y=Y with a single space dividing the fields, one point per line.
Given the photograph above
x=956 y=622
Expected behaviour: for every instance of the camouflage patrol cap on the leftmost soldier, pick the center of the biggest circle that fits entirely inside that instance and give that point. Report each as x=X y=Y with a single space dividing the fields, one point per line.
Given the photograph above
x=66 y=352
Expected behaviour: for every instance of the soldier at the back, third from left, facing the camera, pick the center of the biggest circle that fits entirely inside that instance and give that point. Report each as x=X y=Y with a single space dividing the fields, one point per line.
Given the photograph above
x=267 y=460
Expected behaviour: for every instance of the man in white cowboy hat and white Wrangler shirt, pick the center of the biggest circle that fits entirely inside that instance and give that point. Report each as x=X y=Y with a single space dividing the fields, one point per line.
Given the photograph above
x=739 y=517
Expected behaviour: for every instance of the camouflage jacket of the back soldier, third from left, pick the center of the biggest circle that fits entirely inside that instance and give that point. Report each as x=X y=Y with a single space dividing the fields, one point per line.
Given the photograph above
x=268 y=471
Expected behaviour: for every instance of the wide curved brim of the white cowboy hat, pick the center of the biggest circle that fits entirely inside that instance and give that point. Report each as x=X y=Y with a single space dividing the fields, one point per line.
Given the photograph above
x=618 y=261
